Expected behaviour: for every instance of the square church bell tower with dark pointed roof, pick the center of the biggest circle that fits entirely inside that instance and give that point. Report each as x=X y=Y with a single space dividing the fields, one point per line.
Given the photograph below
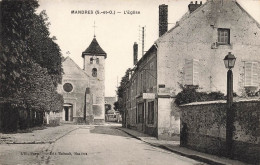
x=94 y=65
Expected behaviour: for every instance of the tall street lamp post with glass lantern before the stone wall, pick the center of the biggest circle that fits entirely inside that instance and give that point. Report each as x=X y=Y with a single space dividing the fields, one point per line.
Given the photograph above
x=229 y=62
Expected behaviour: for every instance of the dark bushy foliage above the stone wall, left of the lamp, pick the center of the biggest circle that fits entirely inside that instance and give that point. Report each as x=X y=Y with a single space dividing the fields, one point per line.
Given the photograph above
x=190 y=94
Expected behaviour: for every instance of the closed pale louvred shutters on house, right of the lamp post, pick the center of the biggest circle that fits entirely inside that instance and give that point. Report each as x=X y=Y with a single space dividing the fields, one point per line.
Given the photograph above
x=251 y=74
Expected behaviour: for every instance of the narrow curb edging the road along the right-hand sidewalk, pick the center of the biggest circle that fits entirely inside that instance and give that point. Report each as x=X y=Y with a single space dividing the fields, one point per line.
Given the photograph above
x=194 y=157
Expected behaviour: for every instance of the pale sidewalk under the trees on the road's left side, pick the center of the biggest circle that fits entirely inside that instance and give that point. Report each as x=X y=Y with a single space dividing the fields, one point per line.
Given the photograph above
x=47 y=135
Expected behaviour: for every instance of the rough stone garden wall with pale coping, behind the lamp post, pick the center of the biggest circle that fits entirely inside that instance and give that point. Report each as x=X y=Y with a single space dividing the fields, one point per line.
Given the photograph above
x=203 y=128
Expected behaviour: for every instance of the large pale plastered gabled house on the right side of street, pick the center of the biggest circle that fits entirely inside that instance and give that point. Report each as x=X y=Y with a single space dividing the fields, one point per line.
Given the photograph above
x=191 y=53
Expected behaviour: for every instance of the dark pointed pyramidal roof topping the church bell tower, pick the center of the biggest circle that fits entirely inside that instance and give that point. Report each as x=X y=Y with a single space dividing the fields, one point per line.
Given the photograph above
x=94 y=49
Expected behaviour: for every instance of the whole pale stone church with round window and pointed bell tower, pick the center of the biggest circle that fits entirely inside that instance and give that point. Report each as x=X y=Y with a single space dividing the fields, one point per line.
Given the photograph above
x=83 y=90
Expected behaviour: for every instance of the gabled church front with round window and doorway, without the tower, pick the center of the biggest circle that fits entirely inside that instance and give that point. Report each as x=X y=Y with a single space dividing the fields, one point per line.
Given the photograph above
x=74 y=88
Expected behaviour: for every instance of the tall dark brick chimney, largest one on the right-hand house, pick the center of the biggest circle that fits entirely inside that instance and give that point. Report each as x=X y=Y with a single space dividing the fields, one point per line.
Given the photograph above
x=163 y=19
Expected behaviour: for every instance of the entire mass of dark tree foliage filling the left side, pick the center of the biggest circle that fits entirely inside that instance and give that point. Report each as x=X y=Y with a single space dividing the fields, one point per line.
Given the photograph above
x=30 y=60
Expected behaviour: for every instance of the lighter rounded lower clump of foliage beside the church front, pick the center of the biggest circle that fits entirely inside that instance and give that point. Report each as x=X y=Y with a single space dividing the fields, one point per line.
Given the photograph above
x=42 y=96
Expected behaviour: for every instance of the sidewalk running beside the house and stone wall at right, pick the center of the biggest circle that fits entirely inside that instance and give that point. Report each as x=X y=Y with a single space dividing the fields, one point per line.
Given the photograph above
x=174 y=146
